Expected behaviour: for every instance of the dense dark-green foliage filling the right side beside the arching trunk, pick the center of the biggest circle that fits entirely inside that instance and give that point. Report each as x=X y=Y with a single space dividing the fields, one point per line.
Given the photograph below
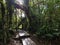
x=45 y=18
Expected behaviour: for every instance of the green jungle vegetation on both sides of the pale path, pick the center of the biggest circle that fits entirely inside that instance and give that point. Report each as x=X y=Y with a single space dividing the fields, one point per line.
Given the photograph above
x=43 y=19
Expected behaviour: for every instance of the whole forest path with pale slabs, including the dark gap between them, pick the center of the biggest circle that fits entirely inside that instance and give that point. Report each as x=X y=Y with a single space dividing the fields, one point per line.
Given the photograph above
x=24 y=39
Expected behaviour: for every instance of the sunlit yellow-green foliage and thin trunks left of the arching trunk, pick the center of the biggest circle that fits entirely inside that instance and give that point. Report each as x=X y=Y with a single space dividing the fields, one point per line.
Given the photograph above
x=11 y=19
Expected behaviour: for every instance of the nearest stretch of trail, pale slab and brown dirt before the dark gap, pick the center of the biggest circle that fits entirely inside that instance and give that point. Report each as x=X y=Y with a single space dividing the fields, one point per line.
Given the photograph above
x=26 y=41
